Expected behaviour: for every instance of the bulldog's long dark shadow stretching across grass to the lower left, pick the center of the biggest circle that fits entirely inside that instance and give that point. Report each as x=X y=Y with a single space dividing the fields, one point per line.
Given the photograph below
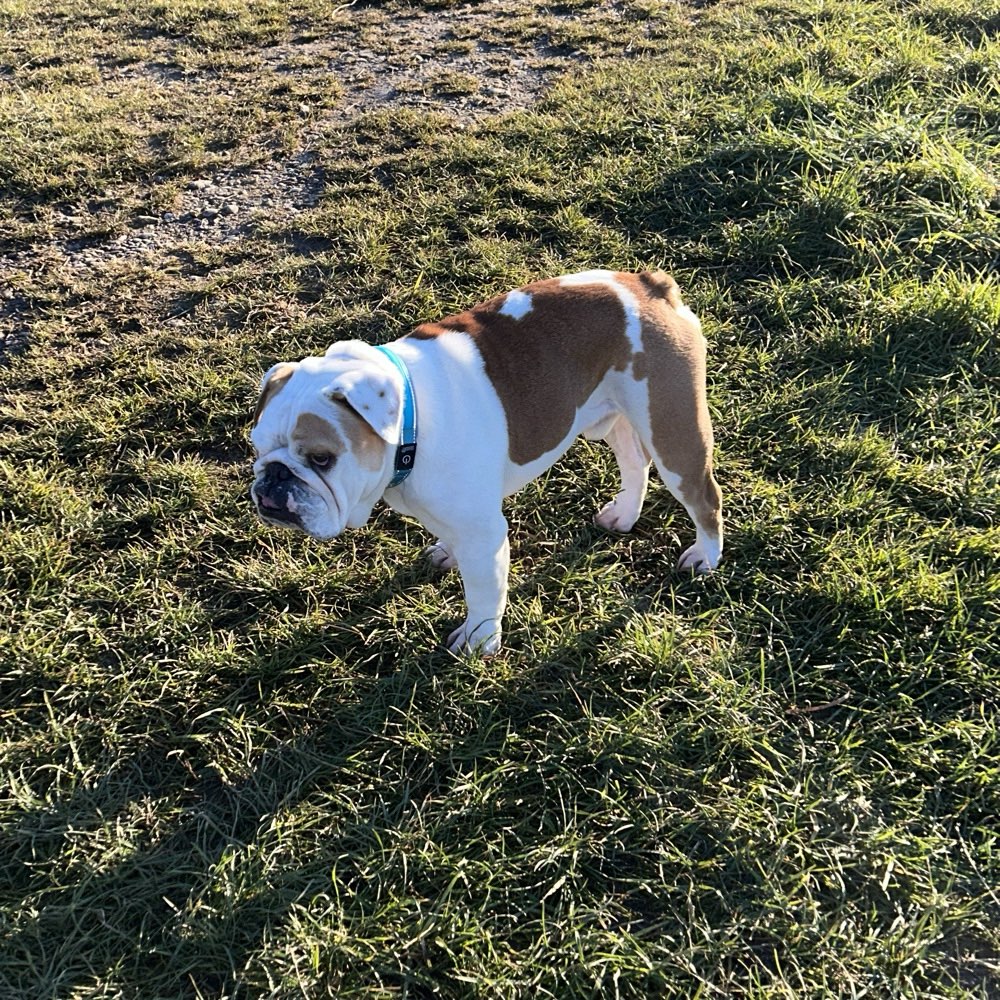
x=328 y=692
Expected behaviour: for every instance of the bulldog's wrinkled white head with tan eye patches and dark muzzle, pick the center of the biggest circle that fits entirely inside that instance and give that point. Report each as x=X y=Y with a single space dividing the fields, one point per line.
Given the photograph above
x=324 y=432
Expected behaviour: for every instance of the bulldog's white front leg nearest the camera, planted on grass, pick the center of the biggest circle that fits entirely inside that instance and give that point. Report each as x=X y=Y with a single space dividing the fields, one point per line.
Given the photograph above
x=484 y=564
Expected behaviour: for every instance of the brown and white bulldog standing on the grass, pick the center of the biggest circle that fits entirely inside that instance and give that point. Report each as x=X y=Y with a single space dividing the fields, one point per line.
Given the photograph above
x=501 y=392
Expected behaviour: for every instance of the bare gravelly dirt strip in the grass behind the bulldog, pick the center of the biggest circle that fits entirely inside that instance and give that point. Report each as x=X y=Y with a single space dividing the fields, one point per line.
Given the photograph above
x=470 y=64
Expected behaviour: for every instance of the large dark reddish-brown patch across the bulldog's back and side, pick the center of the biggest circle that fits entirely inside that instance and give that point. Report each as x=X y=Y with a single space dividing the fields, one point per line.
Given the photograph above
x=547 y=364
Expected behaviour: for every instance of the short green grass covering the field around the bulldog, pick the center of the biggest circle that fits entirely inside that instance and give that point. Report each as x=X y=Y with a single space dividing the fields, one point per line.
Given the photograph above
x=236 y=763
